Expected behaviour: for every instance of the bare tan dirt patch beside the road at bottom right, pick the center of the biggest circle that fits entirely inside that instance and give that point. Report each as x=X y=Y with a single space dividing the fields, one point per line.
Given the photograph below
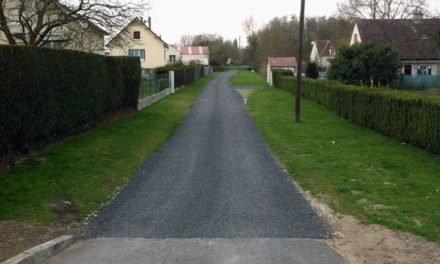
x=361 y=243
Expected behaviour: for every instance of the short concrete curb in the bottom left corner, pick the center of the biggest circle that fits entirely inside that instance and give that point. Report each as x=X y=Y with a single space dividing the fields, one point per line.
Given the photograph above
x=42 y=252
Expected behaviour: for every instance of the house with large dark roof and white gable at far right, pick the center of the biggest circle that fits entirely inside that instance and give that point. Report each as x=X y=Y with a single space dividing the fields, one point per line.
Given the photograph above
x=417 y=41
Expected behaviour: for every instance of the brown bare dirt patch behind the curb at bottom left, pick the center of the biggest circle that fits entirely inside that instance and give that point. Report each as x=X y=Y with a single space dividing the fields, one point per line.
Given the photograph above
x=16 y=237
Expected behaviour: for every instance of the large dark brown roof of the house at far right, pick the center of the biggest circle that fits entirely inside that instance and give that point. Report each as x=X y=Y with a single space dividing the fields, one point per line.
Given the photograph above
x=414 y=39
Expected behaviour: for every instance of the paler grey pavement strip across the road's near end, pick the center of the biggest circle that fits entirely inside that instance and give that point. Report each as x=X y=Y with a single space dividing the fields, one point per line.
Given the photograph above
x=206 y=251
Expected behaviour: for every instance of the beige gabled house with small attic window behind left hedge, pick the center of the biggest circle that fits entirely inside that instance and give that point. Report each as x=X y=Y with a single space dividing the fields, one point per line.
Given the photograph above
x=137 y=39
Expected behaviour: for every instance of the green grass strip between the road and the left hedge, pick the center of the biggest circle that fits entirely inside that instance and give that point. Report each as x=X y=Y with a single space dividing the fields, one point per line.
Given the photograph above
x=87 y=169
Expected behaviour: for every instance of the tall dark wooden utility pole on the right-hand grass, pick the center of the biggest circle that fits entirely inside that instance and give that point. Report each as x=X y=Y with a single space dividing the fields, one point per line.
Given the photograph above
x=299 y=71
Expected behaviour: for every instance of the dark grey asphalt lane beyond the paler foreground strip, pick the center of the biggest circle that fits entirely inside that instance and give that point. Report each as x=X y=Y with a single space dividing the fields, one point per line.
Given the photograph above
x=216 y=178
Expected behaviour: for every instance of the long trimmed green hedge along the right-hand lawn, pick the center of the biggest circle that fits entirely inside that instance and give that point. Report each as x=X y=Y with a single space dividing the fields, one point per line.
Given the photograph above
x=407 y=117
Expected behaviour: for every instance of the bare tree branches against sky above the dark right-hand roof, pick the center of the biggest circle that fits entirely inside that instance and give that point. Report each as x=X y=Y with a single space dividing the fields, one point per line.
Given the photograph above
x=381 y=9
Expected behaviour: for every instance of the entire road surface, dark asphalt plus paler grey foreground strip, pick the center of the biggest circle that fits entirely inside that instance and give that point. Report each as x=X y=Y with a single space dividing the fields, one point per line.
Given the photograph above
x=212 y=189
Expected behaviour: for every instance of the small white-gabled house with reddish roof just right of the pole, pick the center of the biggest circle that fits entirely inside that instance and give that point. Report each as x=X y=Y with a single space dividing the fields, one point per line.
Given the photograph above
x=323 y=52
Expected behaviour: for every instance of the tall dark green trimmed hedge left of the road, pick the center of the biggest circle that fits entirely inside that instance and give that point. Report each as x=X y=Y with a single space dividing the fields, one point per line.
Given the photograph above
x=47 y=93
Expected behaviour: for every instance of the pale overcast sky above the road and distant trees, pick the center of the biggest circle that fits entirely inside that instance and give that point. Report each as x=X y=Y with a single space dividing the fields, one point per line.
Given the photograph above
x=173 y=18
